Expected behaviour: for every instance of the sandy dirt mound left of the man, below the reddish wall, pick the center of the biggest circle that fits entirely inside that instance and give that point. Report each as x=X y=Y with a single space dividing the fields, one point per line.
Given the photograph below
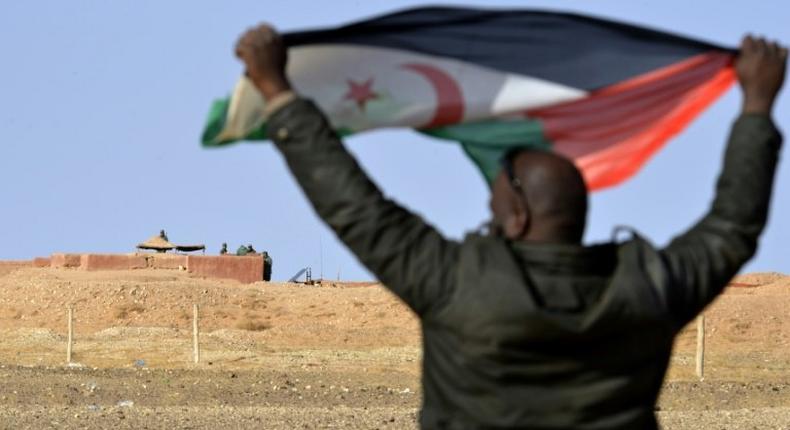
x=289 y=315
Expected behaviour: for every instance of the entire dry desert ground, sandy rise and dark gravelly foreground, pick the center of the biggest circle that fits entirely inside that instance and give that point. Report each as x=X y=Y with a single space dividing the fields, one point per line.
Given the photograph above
x=339 y=355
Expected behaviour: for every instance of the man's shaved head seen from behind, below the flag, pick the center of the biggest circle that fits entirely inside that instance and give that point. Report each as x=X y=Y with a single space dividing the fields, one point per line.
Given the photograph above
x=545 y=200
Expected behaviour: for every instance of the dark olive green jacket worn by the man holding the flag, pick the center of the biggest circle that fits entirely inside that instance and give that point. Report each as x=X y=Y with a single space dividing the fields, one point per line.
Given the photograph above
x=529 y=335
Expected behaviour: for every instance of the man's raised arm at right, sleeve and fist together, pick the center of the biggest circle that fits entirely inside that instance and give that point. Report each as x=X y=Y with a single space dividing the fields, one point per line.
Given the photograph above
x=703 y=260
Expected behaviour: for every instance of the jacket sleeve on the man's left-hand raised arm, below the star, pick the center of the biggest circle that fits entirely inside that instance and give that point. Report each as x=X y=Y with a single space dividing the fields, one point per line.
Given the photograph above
x=409 y=256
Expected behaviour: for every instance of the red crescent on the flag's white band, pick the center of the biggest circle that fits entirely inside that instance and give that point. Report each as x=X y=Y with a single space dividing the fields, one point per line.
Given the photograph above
x=449 y=98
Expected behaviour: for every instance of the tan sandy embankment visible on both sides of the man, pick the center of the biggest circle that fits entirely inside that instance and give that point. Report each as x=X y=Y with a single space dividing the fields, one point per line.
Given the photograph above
x=747 y=325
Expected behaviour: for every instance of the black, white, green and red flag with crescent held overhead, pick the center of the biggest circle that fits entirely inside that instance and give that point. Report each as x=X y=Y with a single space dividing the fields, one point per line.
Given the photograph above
x=606 y=94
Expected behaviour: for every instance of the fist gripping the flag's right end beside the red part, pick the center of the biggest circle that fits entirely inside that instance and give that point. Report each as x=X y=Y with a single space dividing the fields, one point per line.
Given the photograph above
x=761 y=70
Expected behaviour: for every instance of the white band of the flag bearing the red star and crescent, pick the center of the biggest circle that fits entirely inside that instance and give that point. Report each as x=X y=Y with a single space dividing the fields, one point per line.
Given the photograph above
x=393 y=94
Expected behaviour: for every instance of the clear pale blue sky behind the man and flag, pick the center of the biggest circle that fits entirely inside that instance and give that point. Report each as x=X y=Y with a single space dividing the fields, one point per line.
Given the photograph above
x=102 y=105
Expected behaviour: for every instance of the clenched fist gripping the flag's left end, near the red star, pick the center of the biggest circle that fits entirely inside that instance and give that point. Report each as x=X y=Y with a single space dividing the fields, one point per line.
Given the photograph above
x=262 y=51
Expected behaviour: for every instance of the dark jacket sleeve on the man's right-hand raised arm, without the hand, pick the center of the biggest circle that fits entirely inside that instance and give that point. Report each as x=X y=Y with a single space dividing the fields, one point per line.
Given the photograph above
x=703 y=260
